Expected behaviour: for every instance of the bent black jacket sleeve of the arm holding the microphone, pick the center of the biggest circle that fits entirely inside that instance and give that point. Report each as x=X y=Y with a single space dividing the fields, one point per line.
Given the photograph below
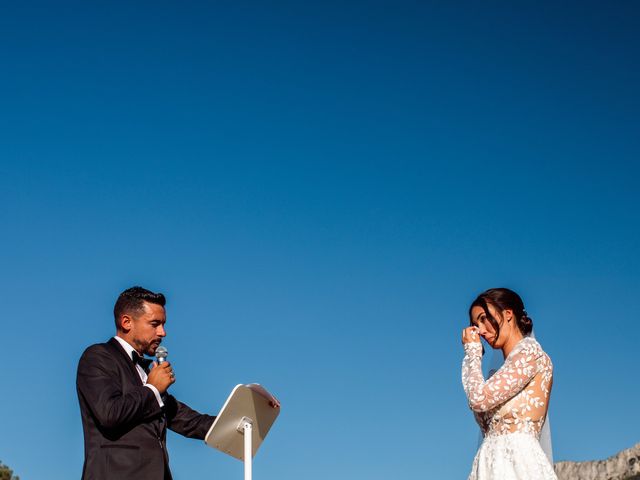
x=99 y=383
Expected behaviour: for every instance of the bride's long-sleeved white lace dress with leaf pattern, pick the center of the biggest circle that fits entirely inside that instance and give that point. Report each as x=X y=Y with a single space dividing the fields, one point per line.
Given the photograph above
x=511 y=408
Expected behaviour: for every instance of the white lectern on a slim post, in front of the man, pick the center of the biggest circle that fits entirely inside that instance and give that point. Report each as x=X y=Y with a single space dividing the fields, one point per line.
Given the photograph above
x=242 y=424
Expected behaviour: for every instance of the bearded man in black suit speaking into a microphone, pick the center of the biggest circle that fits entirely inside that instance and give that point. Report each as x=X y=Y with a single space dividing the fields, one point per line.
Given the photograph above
x=125 y=406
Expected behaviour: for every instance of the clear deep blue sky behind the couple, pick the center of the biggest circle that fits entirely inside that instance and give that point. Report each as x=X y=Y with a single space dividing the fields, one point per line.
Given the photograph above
x=331 y=183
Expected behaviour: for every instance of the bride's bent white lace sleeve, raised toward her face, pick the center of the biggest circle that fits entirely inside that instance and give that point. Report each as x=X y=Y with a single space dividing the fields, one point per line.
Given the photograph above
x=518 y=370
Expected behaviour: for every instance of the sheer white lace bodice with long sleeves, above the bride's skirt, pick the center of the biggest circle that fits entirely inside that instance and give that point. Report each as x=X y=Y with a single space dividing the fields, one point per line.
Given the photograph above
x=516 y=397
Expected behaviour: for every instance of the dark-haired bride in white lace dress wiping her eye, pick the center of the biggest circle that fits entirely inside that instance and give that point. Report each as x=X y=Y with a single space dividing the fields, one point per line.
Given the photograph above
x=511 y=406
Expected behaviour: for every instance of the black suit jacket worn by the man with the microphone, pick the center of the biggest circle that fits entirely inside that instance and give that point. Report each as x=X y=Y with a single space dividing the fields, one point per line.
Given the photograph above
x=124 y=427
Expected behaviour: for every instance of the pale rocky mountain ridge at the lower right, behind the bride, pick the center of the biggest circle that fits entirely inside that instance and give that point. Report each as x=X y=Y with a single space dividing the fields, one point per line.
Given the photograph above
x=622 y=466
